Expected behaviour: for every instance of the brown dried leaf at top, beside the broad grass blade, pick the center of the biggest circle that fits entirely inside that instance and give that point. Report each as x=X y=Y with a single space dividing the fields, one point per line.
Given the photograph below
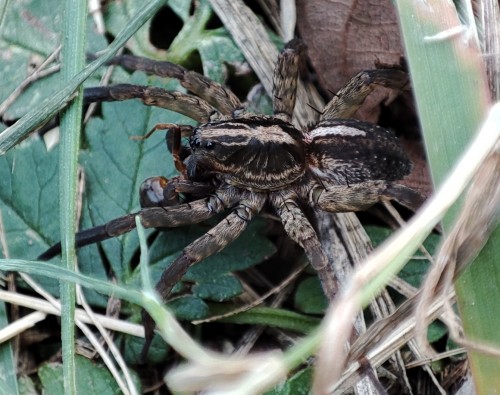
x=345 y=37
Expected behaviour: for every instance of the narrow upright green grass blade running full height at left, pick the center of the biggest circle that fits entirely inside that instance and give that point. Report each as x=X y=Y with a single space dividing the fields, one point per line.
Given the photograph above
x=73 y=61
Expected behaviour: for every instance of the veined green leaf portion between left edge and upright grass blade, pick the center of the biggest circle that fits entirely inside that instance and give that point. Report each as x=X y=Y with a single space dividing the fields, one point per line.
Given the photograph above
x=28 y=191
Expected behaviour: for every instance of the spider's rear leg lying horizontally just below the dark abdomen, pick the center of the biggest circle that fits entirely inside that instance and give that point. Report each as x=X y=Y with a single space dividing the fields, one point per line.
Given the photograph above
x=359 y=197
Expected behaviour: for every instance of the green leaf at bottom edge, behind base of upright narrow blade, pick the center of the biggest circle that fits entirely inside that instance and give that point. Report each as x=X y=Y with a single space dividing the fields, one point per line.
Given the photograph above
x=92 y=378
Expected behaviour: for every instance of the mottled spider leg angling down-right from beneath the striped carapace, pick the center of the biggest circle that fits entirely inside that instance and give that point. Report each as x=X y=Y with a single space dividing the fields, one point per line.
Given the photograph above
x=300 y=230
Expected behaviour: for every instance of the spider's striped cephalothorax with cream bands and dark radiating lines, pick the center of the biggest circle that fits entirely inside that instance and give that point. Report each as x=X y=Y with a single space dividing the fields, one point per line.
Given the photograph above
x=256 y=153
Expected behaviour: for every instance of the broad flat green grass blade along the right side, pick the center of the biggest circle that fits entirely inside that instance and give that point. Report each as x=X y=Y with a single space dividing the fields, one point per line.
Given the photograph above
x=452 y=96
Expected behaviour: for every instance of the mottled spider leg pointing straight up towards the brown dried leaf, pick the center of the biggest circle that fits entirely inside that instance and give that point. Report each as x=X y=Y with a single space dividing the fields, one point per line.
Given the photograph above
x=285 y=77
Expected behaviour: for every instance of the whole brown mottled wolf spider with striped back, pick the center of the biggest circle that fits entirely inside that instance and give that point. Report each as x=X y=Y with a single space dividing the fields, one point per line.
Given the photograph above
x=239 y=162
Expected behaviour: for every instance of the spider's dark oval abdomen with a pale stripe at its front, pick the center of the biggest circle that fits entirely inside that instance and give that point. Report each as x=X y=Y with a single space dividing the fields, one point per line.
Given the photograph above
x=350 y=152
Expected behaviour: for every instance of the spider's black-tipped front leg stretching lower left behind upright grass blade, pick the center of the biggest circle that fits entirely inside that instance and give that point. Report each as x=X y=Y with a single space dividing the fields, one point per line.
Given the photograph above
x=154 y=217
